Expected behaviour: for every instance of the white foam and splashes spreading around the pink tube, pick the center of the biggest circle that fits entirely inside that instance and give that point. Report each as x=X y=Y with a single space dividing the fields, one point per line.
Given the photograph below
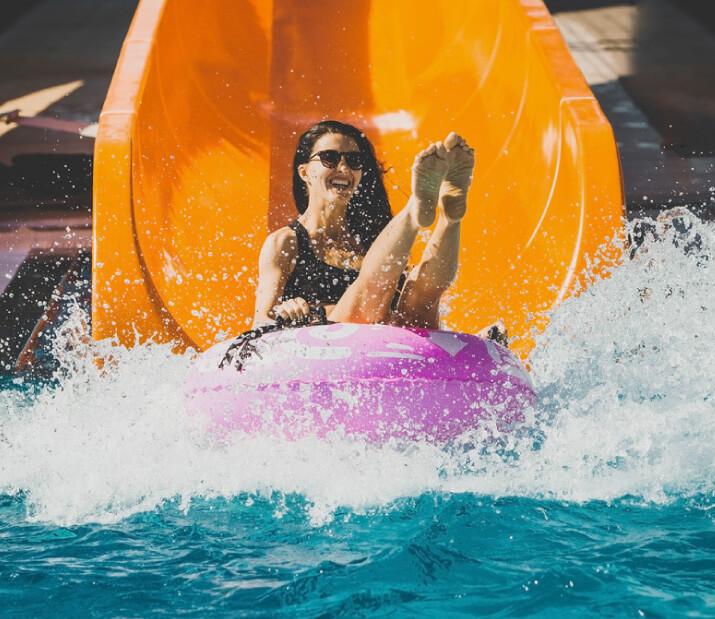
x=625 y=410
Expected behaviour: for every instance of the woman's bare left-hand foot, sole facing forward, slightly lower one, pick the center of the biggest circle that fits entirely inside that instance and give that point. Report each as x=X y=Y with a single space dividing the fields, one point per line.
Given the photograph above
x=428 y=174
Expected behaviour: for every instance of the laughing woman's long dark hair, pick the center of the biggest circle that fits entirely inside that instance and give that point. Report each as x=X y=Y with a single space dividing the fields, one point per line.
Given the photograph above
x=368 y=209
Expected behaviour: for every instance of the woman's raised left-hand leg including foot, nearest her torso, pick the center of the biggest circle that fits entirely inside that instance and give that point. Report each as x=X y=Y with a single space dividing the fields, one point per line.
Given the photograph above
x=369 y=298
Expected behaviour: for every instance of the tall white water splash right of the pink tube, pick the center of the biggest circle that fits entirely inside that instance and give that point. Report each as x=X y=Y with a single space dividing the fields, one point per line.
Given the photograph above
x=624 y=376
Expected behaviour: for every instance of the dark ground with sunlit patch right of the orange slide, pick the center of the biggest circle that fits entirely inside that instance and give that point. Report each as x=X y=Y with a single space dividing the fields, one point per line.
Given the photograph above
x=649 y=63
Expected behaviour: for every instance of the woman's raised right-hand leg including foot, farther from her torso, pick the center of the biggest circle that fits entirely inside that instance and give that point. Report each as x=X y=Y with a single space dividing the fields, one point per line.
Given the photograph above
x=432 y=277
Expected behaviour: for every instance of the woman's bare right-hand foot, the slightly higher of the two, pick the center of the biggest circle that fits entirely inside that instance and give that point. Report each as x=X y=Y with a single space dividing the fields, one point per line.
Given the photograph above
x=454 y=189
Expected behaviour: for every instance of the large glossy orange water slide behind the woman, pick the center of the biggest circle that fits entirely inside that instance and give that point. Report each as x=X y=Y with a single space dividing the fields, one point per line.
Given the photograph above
x=195 y=142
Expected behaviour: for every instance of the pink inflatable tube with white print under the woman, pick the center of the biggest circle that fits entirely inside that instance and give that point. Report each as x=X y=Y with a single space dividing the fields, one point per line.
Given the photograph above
x=374 y=381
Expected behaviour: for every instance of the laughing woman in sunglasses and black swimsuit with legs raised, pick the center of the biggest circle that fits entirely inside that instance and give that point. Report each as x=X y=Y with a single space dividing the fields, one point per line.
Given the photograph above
x=346 y=251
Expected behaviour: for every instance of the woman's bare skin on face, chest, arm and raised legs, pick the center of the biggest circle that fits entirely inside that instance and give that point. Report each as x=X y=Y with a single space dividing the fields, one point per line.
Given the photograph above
x=441 y=177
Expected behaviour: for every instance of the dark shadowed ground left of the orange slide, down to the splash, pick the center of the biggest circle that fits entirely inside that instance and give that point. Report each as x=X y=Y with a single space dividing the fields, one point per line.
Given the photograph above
x=57 y=62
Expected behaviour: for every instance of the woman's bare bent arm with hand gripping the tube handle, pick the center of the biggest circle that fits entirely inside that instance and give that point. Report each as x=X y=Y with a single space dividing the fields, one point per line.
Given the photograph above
x=275 y=264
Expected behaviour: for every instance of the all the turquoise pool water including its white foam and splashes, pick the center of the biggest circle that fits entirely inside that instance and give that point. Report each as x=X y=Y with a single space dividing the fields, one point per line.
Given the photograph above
x=114 y=503
